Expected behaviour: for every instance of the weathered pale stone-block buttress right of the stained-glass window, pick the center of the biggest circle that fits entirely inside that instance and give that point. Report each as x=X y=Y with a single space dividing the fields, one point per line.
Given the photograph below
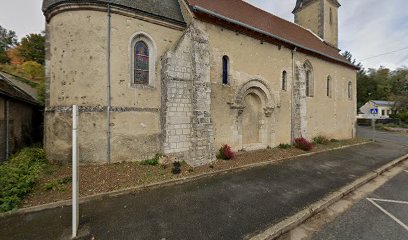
x=187 y=124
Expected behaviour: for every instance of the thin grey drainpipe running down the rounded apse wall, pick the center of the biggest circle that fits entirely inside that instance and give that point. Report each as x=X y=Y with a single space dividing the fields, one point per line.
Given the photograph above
x=109 y=87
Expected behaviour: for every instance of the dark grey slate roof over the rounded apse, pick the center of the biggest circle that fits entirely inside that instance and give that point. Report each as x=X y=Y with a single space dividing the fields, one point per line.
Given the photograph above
x=167 y=9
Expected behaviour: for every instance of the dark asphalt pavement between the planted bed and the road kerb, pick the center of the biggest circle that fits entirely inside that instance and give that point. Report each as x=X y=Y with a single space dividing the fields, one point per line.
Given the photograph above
x=228 y=206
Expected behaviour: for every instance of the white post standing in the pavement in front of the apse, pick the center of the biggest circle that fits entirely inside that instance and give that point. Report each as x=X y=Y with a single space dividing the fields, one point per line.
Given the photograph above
x=75 y=173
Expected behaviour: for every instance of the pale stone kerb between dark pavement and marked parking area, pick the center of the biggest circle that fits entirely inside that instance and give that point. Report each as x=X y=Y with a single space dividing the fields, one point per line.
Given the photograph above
x=292 y=222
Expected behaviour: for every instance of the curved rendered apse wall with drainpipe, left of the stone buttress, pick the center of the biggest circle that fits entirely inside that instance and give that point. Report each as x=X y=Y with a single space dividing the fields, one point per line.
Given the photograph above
x=77 y=74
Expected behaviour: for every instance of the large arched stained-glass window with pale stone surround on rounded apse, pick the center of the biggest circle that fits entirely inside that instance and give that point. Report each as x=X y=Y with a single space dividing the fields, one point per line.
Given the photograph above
x=143 y=60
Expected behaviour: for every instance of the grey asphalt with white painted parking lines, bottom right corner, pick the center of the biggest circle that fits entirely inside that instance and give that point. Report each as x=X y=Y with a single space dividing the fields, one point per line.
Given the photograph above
x=381 y=216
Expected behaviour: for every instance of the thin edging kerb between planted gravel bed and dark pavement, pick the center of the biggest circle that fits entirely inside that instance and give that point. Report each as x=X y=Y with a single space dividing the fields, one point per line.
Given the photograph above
x=66 y=203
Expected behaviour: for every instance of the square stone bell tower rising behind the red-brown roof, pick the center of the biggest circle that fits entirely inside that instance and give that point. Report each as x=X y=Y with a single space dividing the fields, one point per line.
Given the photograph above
x=321 y=17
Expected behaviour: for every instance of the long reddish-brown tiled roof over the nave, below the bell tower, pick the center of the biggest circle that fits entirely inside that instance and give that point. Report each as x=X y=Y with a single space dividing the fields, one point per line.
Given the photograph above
x=244 y=15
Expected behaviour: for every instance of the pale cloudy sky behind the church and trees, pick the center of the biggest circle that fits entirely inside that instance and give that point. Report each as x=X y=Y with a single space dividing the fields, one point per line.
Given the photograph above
x=367 y=28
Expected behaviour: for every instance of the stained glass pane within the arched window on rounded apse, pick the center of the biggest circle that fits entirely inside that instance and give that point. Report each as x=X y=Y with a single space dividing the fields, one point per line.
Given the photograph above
x=141 y=63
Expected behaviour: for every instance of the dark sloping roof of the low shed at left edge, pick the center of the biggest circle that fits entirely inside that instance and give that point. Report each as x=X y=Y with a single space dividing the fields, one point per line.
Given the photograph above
x=11 y=90
